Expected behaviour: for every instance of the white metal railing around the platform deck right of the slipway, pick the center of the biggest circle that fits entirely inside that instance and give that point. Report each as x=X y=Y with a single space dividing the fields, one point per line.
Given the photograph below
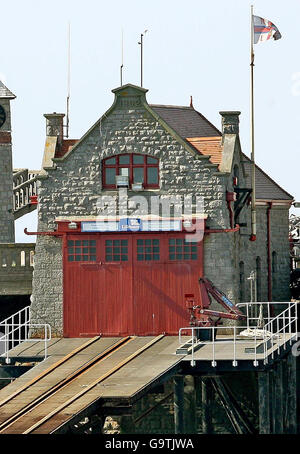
x=275 y=334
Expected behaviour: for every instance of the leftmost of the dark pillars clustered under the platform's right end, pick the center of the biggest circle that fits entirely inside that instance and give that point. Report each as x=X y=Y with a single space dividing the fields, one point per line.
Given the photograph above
x=264 y=402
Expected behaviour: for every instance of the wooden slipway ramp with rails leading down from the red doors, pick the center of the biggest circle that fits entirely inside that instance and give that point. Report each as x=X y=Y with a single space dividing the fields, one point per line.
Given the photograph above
x=100 y=370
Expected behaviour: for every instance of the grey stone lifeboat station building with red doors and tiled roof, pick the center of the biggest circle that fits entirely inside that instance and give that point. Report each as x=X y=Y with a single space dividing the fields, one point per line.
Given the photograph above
x=131 y=215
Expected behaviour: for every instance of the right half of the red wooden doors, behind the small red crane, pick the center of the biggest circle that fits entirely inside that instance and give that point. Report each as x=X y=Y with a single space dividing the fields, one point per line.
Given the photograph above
x=166 y=267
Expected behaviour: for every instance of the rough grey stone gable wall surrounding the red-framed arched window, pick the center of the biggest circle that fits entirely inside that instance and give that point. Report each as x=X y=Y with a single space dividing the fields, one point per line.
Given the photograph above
x=129 y=126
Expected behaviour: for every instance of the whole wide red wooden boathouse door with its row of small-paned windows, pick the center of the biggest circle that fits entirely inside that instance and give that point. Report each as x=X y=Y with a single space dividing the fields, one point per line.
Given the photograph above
x=123 y=284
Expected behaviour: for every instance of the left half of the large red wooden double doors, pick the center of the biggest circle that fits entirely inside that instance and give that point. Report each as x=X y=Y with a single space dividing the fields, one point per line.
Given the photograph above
x=97 y=287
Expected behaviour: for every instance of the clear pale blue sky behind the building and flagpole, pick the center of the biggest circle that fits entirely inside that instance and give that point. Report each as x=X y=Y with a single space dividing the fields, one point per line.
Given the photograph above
x=192 y=47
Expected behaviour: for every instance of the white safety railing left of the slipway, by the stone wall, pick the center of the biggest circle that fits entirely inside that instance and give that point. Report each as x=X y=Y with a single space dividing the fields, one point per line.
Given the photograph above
x=15 y=329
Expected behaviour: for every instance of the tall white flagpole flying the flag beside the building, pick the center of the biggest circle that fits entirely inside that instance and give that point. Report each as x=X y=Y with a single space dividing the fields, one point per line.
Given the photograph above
x=253 y=209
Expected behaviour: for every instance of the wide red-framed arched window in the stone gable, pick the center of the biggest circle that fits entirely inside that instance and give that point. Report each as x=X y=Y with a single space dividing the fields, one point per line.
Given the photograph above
x=138 y=168
